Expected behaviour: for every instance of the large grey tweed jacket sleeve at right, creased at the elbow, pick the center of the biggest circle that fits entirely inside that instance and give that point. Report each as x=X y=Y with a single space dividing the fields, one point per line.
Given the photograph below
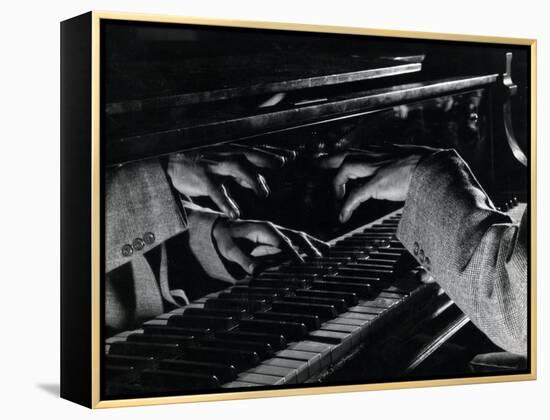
x=477 y=254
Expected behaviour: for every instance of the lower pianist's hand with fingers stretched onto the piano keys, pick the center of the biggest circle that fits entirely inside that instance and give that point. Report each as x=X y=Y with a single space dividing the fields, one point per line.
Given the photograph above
x=247 y=242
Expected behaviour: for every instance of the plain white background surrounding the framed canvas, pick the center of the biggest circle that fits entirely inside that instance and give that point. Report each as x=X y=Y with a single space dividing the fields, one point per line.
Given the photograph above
x=29 y=223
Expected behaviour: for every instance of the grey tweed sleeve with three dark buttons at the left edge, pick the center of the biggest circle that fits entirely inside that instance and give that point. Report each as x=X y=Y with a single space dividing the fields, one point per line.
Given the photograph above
x=140 y=211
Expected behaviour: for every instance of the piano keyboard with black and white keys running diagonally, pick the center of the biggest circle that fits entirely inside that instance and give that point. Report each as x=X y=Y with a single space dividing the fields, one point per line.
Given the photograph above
x=286 y=326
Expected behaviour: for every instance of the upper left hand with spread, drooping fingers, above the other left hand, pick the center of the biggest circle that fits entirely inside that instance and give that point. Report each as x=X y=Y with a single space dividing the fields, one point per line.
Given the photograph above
x=196 y=175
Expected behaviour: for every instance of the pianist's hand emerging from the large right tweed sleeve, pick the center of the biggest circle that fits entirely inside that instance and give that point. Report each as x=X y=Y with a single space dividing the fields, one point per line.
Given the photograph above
x=385 y=173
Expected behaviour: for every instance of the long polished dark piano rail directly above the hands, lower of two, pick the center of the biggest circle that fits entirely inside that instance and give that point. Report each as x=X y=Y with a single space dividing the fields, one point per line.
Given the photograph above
x=139 y=135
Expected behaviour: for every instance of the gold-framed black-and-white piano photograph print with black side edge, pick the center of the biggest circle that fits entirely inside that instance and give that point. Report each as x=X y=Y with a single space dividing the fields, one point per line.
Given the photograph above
x=253 y=209
